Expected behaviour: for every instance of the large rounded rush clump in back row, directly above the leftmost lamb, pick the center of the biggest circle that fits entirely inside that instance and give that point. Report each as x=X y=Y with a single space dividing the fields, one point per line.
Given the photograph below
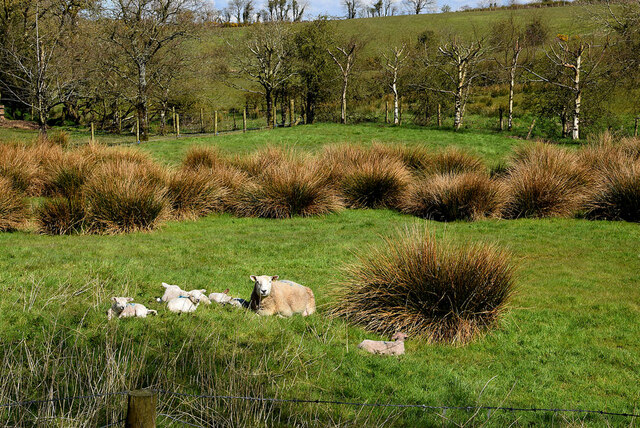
x=124 y=196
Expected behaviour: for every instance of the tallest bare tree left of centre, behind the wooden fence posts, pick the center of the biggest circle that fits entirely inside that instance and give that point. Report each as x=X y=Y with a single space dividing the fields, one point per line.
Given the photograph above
x=141 y=30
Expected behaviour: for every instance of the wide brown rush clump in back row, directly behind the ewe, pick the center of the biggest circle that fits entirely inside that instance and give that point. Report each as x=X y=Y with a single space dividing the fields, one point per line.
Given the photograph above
x=287 y=189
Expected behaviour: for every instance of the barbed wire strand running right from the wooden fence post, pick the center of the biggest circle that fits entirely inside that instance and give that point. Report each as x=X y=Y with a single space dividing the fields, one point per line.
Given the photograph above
x=421 y=406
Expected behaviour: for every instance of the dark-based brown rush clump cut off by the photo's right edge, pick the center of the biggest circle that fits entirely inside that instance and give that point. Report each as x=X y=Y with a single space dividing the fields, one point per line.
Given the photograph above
x=617 y=193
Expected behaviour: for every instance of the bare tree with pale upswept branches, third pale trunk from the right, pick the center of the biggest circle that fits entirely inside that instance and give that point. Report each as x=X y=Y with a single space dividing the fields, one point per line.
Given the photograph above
x=458 y=61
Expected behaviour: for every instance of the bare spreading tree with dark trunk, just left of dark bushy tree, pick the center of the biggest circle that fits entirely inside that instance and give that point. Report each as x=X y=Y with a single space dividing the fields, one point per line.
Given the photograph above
x=266 y=62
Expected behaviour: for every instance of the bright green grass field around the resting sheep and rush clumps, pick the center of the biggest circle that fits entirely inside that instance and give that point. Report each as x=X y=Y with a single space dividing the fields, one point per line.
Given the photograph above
x=571 y=338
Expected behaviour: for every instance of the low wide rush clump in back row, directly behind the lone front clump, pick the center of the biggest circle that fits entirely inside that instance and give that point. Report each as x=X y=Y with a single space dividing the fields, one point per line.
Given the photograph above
x=448 y=197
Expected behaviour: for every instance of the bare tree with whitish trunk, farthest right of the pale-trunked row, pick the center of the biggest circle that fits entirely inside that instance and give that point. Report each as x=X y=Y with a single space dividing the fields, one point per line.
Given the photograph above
x=576 y=60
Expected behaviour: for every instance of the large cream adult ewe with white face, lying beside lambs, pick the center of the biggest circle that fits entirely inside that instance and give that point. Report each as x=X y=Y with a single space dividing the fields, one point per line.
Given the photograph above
x=283 y=298
